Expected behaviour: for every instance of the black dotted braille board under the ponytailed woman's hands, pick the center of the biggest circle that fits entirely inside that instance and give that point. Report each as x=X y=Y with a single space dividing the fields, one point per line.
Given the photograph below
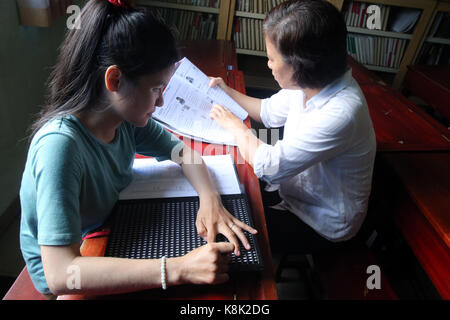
x=152 y=228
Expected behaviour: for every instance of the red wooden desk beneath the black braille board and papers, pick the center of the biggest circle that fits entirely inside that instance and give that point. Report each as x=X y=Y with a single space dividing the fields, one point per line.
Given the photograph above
x=261 y=286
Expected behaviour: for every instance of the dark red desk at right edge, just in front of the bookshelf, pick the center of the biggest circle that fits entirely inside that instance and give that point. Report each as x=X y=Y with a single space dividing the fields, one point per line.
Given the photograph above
x=431 y=84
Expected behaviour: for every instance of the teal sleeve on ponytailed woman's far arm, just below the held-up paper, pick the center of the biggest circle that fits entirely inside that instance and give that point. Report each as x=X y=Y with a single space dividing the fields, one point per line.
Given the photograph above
x=154 y=141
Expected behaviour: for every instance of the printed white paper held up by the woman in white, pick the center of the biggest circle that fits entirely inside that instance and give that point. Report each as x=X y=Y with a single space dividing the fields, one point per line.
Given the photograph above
x=187 y=103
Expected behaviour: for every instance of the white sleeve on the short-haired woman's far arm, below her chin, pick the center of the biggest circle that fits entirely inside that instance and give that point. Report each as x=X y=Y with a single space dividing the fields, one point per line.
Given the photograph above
x=274 y=110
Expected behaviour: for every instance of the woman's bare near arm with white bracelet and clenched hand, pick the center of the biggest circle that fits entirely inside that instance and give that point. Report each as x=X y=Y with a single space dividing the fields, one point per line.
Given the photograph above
x=67 y=272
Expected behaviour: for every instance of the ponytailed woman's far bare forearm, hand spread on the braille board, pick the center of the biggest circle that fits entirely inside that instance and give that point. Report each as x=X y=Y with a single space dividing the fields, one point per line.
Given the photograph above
x=212 y=217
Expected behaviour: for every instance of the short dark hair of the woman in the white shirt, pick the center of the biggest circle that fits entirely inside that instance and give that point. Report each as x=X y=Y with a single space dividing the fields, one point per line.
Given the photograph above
x=310 y=35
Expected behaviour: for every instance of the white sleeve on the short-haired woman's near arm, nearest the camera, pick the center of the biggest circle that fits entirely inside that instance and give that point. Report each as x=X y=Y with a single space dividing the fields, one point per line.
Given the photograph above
x=317 y=141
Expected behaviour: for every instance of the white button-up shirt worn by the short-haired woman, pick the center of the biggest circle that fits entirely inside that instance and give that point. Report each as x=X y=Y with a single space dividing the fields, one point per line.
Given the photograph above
x=323 y=165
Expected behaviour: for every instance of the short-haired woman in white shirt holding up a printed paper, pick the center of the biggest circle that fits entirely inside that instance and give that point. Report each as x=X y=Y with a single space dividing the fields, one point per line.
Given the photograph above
x=323 y=166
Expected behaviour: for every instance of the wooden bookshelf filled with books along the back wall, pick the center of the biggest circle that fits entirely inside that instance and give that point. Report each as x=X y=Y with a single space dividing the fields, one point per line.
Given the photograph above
x=241 y=21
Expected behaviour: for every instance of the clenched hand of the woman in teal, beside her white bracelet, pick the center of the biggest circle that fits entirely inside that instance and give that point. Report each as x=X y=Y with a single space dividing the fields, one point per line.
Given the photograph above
x=207 y=264
